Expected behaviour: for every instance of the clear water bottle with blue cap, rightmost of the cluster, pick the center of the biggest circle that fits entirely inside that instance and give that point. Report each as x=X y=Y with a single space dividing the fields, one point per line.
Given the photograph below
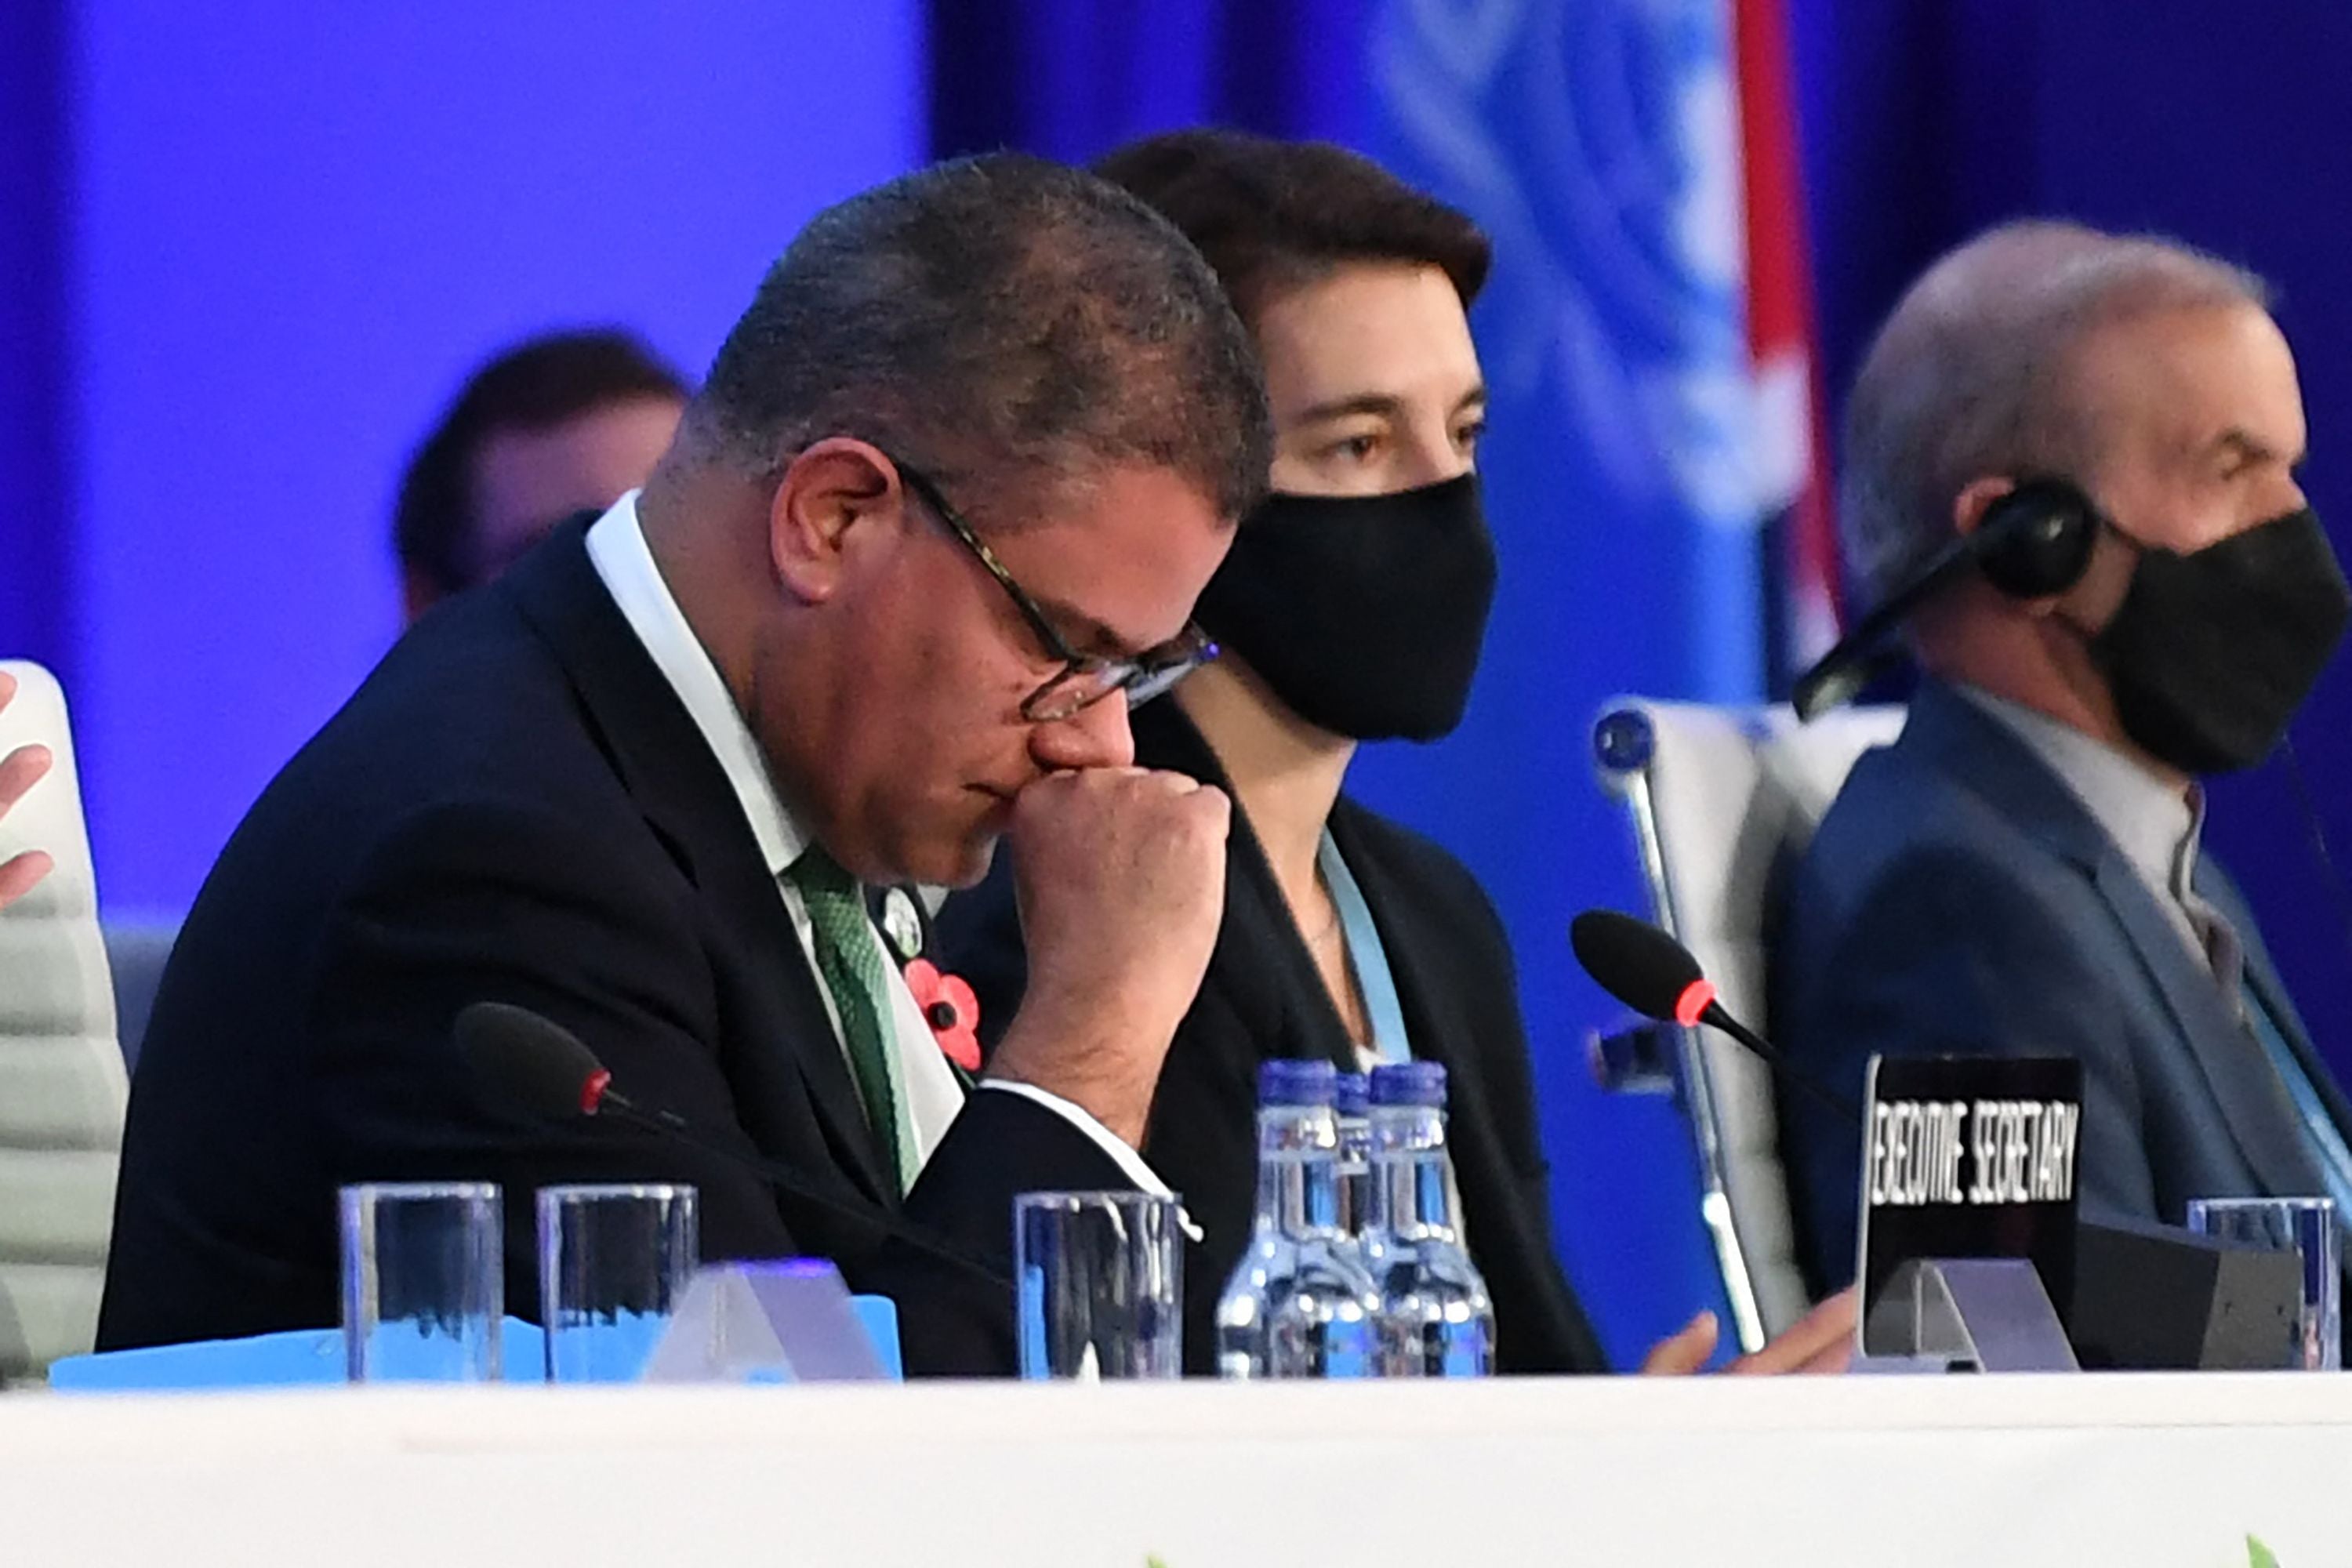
x=1436 y=1318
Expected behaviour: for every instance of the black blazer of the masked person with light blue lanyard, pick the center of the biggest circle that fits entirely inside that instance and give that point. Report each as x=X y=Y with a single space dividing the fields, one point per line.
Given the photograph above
x=1262 y=1000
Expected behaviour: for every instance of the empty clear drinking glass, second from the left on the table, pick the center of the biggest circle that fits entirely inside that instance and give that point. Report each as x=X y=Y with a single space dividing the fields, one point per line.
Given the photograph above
x=613 y=1264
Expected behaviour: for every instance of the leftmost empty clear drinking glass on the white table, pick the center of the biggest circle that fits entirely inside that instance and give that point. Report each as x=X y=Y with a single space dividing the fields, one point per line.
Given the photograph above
x=422 y=1282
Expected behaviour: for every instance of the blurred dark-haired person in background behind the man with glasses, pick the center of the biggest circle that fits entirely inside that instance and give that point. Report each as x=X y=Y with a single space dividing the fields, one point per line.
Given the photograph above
x=554 y=427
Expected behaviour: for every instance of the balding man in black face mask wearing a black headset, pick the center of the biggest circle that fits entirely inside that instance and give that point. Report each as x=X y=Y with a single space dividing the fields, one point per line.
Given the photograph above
x=2022 y=871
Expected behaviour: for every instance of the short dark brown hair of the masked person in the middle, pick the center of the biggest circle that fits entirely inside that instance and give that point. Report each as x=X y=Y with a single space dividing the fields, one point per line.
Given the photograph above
x=1274 y=215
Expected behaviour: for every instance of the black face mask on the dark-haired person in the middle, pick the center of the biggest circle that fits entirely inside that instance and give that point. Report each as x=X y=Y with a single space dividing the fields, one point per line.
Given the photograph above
x=1365 y=615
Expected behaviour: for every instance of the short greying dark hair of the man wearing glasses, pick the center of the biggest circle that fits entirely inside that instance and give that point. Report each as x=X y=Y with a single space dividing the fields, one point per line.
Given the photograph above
x=996 y=319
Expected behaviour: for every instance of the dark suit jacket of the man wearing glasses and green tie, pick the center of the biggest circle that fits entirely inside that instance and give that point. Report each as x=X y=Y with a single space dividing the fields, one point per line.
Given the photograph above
x=516 y=808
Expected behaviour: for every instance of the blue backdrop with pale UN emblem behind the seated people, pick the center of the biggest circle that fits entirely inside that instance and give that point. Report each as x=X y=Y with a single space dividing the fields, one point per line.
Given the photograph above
x=246 y=255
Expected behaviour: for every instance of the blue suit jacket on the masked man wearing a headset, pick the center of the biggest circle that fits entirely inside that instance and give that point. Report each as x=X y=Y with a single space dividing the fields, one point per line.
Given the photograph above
x=1963 y=899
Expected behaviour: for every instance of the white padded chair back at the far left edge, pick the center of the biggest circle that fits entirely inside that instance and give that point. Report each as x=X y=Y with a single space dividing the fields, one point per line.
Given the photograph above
x=62 y=1083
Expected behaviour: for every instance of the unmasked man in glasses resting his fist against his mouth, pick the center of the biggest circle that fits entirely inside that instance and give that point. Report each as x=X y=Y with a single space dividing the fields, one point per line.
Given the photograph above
x=926 y=535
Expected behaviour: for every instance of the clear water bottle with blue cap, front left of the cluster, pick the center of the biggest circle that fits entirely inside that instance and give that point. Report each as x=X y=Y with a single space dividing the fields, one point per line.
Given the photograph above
x=1299 y=1304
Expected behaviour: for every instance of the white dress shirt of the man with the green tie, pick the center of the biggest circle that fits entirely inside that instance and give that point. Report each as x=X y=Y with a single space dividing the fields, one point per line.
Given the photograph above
x=933 y=1094
